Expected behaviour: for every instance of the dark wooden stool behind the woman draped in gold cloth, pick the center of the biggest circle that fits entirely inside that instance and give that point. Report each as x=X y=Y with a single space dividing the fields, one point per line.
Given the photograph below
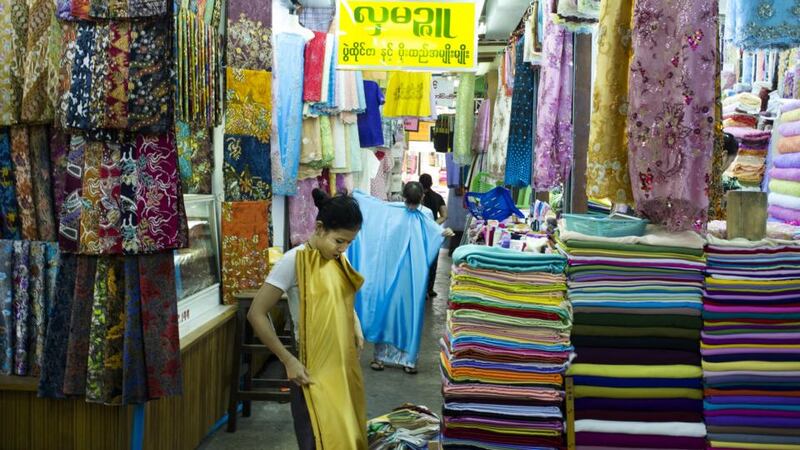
x=245 y=388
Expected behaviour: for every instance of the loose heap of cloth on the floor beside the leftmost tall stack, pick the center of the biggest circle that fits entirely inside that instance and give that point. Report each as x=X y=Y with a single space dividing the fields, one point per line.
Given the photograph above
x=409 y=427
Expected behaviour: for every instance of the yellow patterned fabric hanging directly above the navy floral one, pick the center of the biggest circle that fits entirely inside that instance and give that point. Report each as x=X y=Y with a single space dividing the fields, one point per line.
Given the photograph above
x=249 y=103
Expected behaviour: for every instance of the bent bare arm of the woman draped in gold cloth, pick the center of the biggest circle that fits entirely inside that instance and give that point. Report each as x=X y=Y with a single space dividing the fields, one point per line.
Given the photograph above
x=266 y=298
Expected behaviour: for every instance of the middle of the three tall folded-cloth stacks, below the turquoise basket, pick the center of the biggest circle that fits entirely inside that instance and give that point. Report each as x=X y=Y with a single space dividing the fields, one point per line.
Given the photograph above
x=637 y=305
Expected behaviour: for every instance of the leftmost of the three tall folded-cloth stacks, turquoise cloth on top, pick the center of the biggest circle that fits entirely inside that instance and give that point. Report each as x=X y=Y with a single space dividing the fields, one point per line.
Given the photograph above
x=505 y=350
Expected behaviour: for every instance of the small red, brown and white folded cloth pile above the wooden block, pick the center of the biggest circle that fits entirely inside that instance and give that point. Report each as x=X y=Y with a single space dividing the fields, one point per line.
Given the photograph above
x=750 y=163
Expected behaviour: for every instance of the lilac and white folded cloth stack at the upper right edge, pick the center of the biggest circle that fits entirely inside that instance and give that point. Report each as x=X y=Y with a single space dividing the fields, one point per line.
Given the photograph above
x=784 y=176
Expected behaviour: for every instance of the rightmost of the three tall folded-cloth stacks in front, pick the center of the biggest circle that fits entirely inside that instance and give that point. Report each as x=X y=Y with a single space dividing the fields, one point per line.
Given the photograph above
x=751 y=344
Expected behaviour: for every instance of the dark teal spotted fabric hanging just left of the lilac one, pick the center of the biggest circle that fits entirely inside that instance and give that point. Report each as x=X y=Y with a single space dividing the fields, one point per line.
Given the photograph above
x=521 y=134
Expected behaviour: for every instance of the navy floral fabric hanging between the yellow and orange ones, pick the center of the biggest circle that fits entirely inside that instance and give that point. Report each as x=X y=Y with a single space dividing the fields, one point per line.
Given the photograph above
x=247 y=171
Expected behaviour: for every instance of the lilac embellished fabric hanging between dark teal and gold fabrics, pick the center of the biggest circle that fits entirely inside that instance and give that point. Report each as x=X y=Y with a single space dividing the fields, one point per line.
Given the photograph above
x=554 y=111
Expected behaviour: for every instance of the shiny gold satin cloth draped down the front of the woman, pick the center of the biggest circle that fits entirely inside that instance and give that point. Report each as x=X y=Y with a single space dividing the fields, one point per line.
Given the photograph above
x=335 y=400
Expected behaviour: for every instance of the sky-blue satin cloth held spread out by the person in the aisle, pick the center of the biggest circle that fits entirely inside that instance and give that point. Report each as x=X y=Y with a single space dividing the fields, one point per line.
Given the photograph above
x=393 y=251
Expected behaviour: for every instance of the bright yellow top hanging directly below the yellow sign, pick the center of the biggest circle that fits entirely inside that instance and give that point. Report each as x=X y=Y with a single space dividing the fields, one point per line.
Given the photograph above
x=408 y=94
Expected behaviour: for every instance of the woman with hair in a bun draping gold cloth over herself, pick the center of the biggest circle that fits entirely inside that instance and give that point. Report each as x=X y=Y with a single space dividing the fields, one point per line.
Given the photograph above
x=328 y=406
